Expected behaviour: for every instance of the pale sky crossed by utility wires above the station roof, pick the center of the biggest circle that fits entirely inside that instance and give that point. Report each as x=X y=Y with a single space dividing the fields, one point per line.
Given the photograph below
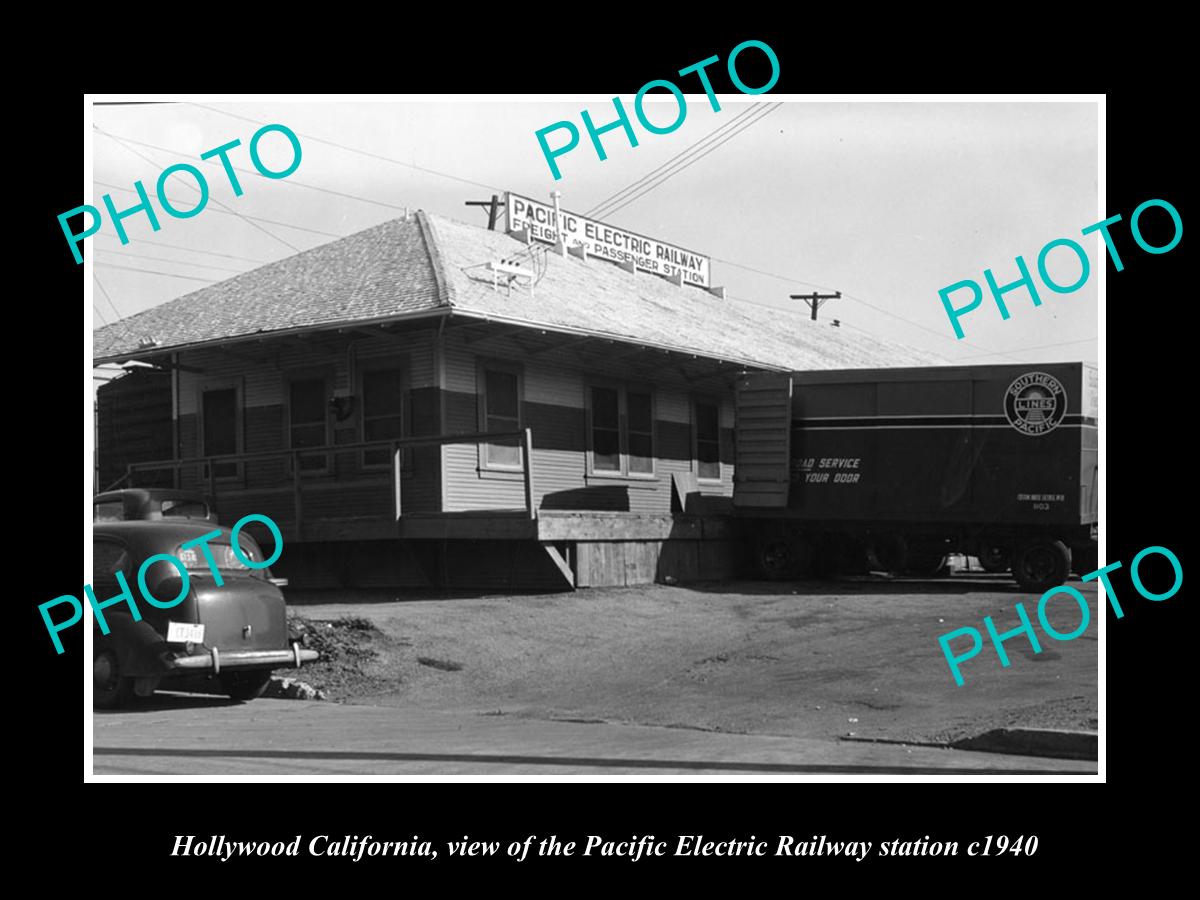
x=885 y=202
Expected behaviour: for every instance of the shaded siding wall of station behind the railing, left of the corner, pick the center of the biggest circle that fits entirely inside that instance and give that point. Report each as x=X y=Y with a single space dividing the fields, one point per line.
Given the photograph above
x=262 y=374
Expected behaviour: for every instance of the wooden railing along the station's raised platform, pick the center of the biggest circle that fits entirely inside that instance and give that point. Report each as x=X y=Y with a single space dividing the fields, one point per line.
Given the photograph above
x=521 y=439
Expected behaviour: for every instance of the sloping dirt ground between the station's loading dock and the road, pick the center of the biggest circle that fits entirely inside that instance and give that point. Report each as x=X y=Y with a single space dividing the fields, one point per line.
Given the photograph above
x=855 y=658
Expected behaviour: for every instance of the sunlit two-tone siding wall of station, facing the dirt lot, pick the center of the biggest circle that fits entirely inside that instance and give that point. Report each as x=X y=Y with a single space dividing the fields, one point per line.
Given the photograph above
x=555 y=407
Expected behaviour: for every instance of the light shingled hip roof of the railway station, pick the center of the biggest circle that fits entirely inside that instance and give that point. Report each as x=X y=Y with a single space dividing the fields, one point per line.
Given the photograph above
x=434 y=266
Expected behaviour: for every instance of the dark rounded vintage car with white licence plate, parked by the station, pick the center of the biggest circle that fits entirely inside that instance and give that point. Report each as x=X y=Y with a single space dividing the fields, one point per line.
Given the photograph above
x=221 y=638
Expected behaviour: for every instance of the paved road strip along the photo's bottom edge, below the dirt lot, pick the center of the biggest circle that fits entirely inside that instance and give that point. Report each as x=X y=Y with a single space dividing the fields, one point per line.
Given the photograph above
x=207 y=736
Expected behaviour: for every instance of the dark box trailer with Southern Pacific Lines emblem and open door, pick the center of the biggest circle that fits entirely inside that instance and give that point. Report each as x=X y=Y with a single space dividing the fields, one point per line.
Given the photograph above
x=897 y=469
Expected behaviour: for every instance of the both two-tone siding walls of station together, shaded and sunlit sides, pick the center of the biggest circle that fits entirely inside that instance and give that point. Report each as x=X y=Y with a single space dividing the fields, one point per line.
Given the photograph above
x=443 y=398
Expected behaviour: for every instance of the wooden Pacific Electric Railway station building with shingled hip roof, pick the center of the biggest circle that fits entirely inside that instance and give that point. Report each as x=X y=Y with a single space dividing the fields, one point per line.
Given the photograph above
x=434 y=404
